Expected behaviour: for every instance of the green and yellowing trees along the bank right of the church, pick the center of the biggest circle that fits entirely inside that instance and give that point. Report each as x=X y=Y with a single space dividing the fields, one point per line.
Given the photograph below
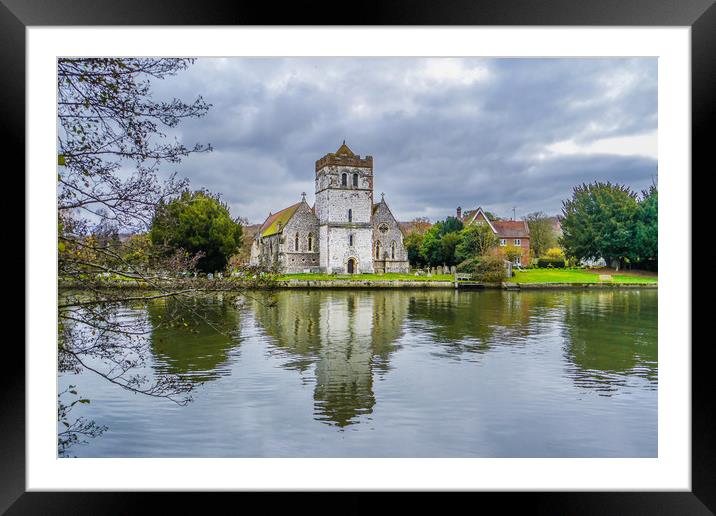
x=600 y=220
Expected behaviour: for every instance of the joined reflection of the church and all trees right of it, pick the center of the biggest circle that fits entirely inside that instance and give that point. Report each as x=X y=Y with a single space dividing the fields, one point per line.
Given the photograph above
x=350 y=336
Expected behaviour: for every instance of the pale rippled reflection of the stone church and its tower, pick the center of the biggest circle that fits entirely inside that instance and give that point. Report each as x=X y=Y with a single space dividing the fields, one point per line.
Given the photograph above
x=347 y=335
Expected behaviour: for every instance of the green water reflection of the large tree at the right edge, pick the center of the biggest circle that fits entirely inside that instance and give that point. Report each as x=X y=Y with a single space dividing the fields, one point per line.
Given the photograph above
x=611 y=336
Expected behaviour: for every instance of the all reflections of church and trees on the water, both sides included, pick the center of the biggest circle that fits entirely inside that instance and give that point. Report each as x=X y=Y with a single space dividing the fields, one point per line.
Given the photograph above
x=347 y=338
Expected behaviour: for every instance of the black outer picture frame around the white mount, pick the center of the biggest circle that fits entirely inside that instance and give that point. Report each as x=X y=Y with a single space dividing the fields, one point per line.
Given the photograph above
x=700 y=15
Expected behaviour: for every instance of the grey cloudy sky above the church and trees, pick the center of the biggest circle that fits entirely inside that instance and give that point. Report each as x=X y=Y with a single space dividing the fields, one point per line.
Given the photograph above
x=499 y=133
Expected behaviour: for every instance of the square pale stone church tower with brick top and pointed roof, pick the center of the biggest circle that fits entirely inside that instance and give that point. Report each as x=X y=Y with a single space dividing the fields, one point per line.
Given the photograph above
x=344 y=208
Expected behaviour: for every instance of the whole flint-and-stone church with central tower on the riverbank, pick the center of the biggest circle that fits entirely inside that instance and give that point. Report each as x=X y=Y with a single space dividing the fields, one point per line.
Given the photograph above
x=344 y=232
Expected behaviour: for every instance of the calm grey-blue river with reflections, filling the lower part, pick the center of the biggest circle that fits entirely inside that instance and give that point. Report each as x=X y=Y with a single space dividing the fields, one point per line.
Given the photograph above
x=390 y=373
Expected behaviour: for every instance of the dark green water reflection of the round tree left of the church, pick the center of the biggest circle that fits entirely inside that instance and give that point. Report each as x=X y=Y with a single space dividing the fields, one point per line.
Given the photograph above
x=192 y=337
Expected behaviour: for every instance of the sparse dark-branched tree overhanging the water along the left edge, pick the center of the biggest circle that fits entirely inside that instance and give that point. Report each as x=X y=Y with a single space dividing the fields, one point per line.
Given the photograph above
x=111 y=143
